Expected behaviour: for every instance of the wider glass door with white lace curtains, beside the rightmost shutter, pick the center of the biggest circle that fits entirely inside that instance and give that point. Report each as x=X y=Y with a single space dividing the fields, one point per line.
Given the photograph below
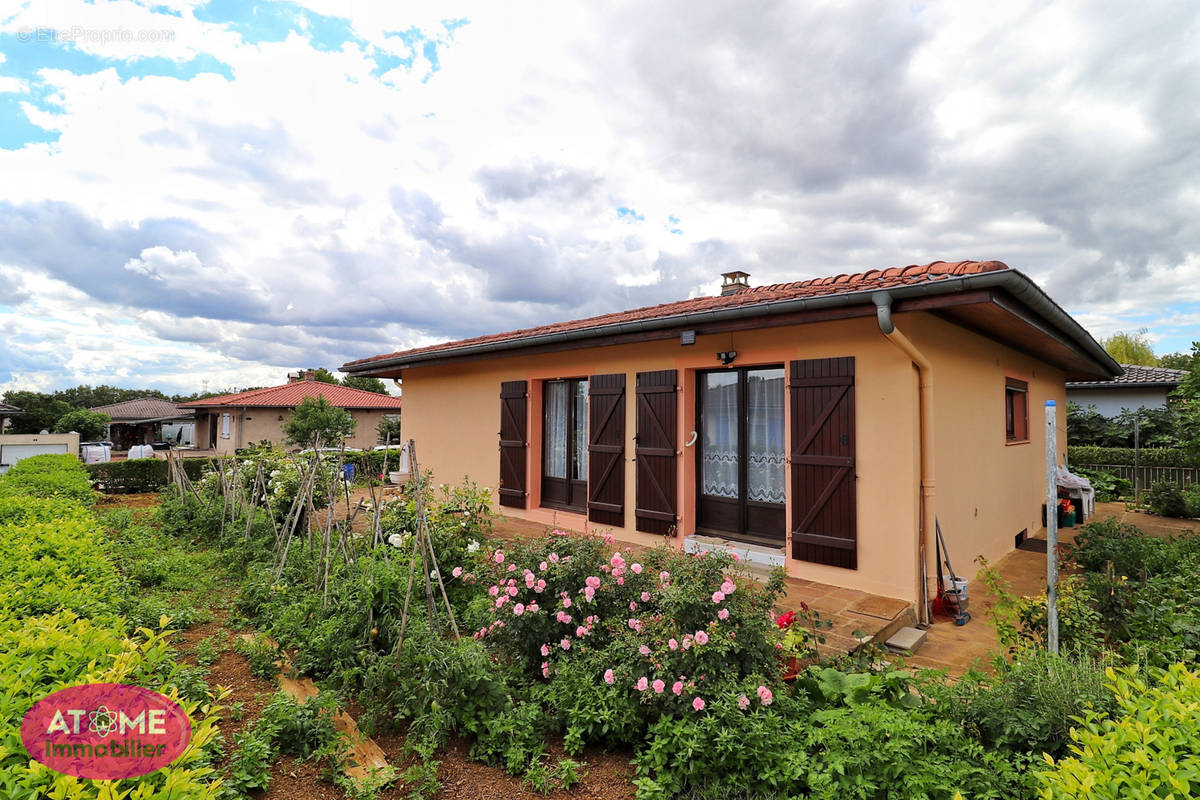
x=742 y=462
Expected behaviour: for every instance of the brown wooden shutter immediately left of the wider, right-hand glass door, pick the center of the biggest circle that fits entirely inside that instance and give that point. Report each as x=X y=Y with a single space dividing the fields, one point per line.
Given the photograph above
x=656 y=452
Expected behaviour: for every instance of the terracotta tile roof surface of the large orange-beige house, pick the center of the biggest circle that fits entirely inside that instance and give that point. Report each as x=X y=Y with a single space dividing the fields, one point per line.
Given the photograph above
x=868 y=281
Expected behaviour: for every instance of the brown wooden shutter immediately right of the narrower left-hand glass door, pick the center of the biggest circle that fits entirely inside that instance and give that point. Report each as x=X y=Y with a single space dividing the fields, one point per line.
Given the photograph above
x=607 y=449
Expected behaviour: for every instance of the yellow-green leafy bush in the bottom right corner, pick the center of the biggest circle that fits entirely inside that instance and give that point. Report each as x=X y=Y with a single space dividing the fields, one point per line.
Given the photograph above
x=1150 y=748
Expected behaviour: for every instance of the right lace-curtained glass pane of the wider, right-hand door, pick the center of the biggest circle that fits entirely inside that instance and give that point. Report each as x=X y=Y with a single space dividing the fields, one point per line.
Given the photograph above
x=765 y=436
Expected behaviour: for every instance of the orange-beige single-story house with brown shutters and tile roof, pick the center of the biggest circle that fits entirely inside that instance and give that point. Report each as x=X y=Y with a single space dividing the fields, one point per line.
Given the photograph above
x=826 y=424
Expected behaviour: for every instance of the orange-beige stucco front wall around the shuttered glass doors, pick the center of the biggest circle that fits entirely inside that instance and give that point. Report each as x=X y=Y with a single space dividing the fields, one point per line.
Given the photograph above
x=453 y=414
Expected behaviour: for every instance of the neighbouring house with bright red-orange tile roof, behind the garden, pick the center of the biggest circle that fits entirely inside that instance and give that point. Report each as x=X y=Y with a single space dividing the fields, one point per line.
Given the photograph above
x=232 y=422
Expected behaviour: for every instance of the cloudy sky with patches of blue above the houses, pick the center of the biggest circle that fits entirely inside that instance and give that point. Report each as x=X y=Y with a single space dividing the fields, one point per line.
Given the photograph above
x=213 y=194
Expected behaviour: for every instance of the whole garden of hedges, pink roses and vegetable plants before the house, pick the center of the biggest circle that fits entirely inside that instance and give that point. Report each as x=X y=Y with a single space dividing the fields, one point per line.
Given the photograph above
x=563 y=666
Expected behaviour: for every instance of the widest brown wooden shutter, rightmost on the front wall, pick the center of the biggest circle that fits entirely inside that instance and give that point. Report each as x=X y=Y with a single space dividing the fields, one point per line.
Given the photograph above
x=825 y=513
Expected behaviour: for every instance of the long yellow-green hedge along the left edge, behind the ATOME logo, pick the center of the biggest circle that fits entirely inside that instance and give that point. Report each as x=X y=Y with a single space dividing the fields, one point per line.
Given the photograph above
x=61 y=598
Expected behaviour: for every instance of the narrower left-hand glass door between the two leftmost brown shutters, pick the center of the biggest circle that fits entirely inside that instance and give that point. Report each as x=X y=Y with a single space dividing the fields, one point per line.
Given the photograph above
x=565 y=474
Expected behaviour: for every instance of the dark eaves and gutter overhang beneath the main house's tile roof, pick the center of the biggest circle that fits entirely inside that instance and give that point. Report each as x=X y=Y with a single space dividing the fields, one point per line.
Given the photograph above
x=1003 y=305
